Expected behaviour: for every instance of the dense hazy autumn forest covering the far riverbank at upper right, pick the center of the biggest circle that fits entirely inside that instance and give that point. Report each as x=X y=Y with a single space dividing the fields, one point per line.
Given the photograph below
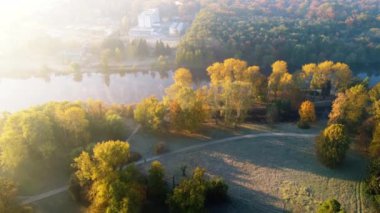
x=296 y=31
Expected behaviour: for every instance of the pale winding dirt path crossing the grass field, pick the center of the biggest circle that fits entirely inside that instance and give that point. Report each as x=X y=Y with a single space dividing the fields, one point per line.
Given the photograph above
x=53 y=192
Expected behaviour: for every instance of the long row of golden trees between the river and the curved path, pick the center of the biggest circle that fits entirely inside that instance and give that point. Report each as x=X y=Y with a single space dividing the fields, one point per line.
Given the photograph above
x=236 y=89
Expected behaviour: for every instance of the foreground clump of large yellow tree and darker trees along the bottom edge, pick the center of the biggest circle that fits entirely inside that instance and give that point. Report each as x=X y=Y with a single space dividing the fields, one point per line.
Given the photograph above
x=105 y=182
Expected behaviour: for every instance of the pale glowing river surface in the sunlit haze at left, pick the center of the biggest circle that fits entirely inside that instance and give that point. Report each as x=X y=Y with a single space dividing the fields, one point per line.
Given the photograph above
x=16 y=94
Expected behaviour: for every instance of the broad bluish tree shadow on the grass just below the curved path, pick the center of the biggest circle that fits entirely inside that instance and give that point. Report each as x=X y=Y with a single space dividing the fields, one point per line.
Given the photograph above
x=287 y=153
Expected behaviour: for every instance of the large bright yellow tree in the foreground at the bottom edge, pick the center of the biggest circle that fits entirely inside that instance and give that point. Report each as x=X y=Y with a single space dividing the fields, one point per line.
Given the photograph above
x=111 y=189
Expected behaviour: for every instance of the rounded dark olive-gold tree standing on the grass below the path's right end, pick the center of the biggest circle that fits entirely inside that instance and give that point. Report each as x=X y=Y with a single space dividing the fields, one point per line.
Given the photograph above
x=332 y=144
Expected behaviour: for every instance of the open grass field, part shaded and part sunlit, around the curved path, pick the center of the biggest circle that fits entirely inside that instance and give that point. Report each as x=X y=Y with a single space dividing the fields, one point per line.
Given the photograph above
x=266 y=174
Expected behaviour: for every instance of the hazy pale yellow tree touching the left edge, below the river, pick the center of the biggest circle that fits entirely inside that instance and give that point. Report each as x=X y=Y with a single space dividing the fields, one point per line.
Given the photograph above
x=26 y=135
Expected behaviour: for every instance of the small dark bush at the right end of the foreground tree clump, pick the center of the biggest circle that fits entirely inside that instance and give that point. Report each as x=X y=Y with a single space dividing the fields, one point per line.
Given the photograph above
x=216 y=191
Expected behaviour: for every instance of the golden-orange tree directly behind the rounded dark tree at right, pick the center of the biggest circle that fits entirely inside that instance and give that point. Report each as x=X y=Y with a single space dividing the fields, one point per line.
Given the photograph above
x=349 y=108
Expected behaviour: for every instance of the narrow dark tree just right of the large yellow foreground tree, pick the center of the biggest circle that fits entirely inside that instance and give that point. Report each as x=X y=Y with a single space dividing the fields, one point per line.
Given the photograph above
x=157 y=187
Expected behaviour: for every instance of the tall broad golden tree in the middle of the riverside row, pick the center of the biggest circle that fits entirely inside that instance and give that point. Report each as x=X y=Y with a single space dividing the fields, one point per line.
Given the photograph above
x=234 y=87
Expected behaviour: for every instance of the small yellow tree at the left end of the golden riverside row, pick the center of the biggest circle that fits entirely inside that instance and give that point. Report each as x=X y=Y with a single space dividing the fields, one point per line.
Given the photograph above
x=150 y=113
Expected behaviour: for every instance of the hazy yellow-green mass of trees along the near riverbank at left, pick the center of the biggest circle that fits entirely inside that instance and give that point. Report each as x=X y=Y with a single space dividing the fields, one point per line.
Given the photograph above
x=45 y=136
